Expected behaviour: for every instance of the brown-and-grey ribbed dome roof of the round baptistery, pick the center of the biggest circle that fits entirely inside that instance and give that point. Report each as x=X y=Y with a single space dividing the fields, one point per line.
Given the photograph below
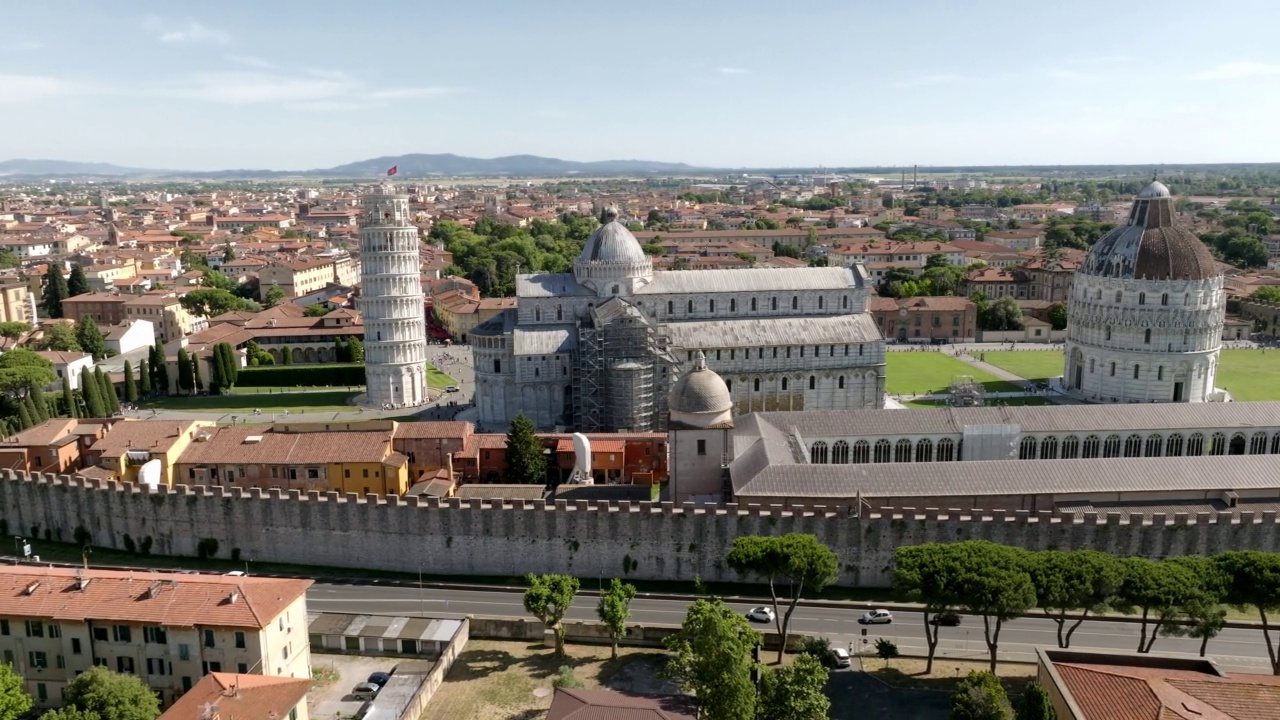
x=1151 y=247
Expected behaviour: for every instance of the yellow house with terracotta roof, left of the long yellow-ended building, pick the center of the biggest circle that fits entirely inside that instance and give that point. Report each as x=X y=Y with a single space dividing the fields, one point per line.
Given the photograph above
x=138 y=443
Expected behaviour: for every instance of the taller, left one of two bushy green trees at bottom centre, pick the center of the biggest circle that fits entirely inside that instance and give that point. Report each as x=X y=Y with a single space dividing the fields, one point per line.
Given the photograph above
x=712 y=660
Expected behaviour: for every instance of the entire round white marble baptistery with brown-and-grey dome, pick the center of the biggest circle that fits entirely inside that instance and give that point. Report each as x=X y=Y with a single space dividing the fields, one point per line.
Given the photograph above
x=1146 y=312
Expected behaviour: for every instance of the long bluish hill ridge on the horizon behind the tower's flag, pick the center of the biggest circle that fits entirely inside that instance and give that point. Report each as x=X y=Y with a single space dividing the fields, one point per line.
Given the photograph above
x=447 y=165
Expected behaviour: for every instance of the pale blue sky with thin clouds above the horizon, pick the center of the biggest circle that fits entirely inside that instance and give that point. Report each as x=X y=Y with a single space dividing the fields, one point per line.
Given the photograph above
x=292 y=85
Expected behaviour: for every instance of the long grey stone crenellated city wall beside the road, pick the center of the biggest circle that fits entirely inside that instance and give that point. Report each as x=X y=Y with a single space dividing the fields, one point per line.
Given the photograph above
x=644 y=541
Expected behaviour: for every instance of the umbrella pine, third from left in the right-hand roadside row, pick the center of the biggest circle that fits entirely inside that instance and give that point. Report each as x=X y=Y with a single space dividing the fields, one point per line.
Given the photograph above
x=1069 y=586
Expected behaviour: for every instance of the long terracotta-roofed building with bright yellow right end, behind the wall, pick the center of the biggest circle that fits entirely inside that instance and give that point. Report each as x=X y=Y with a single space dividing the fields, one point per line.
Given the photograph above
x=305 y=457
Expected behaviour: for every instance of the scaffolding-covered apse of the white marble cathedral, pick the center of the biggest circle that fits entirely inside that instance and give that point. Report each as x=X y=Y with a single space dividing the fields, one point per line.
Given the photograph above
x=621 y=372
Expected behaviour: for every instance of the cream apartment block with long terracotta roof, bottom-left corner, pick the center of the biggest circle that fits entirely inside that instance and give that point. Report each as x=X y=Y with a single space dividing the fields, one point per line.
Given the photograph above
x=170 y=630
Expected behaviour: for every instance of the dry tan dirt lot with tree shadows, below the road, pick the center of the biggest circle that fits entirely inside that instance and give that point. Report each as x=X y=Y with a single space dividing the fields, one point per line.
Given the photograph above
x=513 y=681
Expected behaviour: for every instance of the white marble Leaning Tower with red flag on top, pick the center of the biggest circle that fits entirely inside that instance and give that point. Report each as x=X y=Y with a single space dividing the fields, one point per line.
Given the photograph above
x=391 y=303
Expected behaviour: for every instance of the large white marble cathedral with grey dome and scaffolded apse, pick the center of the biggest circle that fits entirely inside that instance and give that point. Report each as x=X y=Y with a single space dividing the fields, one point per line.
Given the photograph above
x=598 y=349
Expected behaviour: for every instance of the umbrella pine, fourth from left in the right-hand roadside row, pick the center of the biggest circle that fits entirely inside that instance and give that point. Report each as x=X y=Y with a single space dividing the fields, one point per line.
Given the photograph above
x=1159 y=590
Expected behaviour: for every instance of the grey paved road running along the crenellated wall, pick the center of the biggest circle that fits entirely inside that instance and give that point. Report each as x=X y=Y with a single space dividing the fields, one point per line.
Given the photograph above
x=1240 y=650
